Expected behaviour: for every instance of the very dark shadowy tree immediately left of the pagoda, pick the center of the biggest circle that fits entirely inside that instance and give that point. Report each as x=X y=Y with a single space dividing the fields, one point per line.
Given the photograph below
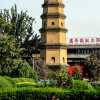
x=31 y=47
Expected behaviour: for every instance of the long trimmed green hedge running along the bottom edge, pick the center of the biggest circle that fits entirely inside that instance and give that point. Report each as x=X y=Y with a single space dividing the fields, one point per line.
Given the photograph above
x=47 y=94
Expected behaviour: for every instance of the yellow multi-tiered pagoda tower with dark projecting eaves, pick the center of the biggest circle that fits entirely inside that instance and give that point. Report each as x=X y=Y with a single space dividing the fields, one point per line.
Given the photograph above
x=53 y=33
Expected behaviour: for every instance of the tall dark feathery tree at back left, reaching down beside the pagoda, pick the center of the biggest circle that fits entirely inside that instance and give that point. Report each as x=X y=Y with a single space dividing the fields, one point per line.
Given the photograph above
x=20 y=25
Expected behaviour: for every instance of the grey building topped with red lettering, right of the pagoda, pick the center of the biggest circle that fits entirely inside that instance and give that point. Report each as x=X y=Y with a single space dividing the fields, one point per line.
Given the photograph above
x=81 y=48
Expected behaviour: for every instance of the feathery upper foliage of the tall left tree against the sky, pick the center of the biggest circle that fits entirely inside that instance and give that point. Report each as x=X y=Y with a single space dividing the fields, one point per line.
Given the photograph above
x=16 y=24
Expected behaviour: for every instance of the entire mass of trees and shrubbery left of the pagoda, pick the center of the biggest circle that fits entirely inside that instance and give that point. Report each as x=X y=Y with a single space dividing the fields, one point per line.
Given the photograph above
x=16 y=37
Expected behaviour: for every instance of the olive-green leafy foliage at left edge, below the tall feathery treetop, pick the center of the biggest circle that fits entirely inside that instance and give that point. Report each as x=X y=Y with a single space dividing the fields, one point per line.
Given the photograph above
x=9 y=54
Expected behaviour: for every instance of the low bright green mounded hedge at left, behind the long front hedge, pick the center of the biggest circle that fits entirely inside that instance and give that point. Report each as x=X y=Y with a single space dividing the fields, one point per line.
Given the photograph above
x=8 y=82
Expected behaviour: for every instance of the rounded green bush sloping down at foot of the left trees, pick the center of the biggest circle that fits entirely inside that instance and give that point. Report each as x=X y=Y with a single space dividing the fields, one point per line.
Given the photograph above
x=24 y=70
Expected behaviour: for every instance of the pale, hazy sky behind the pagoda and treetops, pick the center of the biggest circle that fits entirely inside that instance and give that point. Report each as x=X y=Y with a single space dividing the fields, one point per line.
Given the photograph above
x=83 y=16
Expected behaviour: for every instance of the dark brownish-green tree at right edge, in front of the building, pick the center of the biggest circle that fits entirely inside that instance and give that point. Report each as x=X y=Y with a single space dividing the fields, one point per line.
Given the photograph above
x=93 y=66
